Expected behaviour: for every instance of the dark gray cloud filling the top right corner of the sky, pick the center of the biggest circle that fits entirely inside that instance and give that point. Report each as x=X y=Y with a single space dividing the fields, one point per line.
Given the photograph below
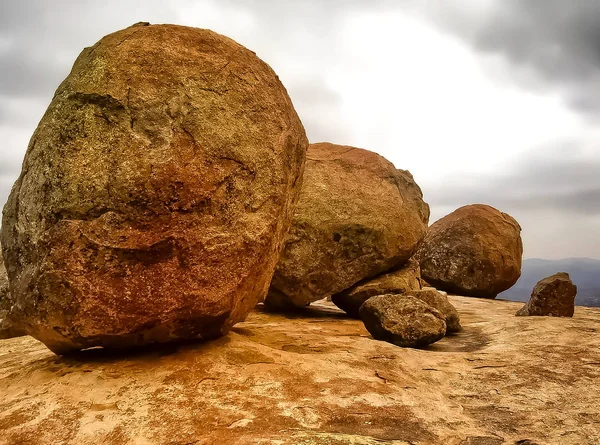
x=551 y=42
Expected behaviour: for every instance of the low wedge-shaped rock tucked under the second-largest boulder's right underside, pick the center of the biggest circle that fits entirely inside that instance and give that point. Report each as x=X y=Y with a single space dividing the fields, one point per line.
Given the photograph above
x=397 y=282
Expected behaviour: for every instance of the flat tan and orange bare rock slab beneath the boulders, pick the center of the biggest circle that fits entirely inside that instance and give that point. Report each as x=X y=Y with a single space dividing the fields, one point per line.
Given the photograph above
x=316 y=377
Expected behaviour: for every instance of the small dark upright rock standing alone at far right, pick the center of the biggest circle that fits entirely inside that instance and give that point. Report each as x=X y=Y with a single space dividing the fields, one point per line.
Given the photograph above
x=553 y=296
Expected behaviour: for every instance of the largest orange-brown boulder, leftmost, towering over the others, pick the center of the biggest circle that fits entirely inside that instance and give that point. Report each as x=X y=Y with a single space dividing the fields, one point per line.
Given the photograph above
x=155 y=194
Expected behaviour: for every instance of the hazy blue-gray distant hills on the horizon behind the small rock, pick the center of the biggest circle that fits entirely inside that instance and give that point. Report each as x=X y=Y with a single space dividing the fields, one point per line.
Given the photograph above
x=584 y=272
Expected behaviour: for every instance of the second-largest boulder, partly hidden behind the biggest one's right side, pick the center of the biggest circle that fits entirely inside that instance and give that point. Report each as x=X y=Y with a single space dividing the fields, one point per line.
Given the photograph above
x=357 y=216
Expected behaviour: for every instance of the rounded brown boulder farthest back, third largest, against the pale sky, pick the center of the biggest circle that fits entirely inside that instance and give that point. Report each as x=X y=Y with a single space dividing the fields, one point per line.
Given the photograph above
x=474 y=251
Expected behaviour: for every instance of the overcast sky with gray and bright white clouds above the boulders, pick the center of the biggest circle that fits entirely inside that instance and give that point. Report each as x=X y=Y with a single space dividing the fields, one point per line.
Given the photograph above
x=490 y=101
